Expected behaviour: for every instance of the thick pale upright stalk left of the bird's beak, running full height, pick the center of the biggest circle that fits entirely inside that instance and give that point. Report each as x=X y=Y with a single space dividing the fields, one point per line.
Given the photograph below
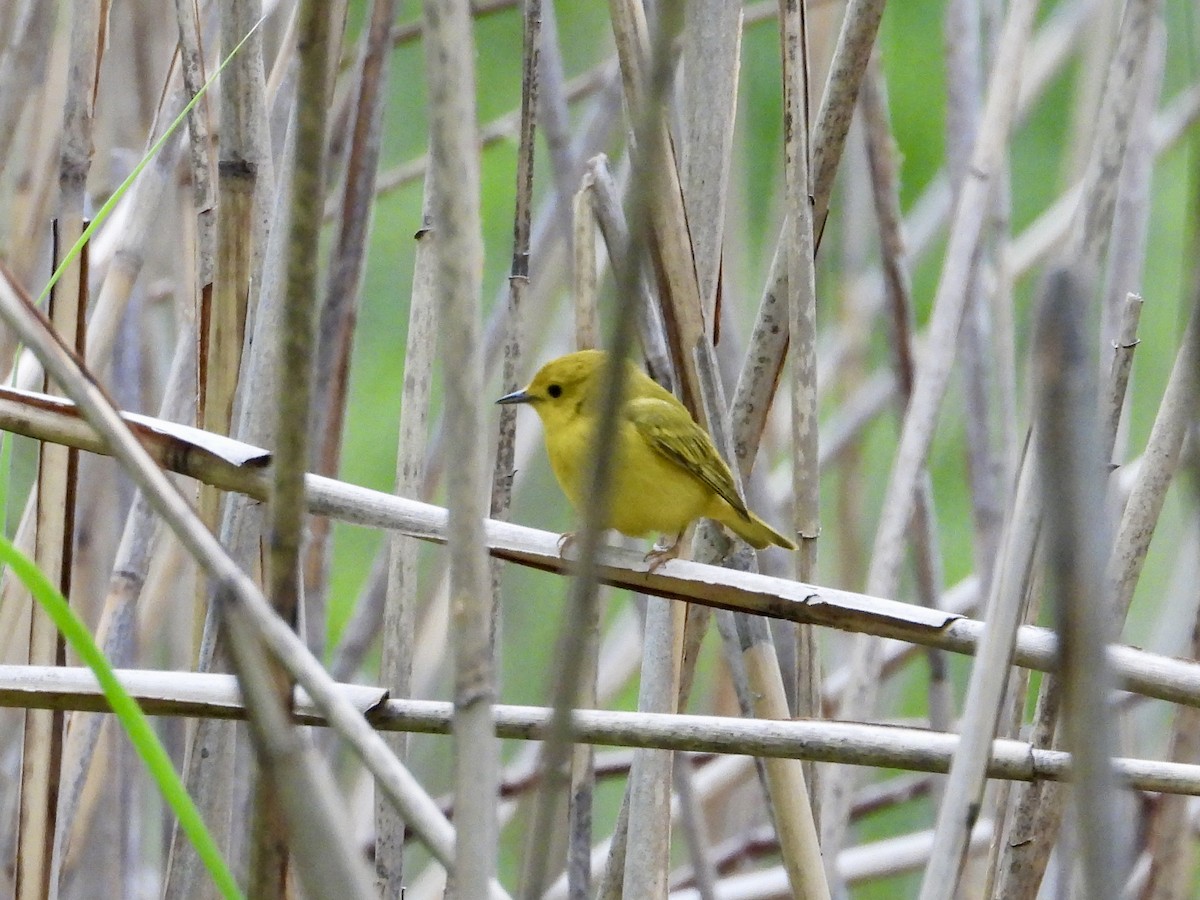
x=449 y=61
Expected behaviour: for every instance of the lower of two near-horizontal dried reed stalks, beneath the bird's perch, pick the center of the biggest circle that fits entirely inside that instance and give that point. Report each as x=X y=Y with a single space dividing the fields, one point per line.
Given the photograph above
x=203 y=694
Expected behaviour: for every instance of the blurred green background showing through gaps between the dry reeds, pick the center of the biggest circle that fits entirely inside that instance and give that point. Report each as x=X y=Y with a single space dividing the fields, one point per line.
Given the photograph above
x=913 y=52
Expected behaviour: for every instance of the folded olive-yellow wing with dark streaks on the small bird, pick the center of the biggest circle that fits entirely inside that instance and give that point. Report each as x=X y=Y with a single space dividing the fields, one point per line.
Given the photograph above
x=673 y=434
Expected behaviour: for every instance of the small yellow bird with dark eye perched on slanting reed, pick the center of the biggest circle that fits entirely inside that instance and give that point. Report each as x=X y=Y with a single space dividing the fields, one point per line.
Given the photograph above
x=668 y=473
